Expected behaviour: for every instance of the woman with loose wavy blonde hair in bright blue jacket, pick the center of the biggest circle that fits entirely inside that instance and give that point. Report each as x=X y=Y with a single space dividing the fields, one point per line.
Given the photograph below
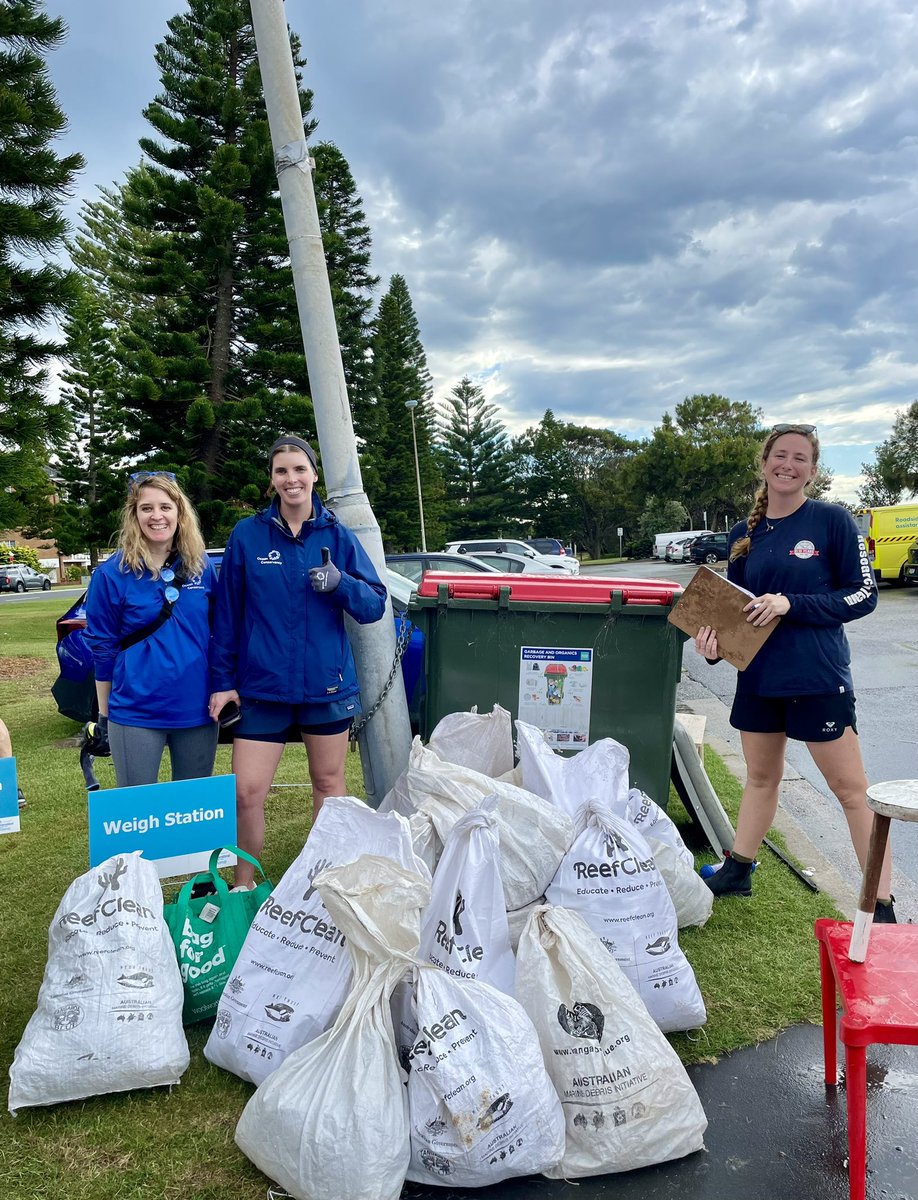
x=155 y=692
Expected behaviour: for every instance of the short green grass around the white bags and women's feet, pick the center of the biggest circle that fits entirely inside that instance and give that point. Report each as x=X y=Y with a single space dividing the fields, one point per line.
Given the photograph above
x=755 y=962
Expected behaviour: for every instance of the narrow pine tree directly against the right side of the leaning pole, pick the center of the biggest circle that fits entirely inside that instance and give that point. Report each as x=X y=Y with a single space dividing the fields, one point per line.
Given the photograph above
x=347 y=241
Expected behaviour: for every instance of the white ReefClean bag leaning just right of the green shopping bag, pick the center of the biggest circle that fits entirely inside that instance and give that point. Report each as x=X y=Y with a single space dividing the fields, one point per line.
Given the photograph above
x=293 y=971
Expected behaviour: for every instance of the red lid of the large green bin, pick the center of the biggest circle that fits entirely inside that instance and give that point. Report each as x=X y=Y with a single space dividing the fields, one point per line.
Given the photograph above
x=550 y=589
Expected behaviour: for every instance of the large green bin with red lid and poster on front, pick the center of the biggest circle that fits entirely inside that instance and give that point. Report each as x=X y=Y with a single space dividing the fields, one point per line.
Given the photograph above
x=581 y=659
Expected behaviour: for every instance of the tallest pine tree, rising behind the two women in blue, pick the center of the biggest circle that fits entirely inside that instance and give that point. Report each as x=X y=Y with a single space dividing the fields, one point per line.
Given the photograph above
x=215 y=353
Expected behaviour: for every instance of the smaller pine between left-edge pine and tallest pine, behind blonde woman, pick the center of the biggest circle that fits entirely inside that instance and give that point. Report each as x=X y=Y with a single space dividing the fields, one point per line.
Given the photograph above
x=92 y=484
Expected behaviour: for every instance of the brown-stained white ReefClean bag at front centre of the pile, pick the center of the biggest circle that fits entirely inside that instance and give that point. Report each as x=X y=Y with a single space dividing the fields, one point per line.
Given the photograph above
x=481 y=1103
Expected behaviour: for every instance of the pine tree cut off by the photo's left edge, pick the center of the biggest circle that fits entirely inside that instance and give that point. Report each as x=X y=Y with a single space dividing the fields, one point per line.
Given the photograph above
x=34 y=182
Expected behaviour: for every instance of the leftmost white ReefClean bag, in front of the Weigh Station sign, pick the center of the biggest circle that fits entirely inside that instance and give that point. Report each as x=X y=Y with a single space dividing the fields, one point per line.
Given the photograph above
x=109 y=1017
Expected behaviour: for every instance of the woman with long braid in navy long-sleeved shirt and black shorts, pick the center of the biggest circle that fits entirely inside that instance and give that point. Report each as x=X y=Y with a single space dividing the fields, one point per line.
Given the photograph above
x=805 y=562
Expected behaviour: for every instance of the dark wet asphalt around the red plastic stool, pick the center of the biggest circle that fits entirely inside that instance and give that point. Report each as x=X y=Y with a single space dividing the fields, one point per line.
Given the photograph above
x=775 y=1132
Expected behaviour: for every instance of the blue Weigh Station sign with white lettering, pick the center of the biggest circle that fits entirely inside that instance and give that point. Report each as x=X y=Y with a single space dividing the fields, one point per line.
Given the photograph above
x=176 y=825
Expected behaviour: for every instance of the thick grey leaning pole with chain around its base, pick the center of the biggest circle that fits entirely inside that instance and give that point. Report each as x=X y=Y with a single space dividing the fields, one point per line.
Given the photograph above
x=387 y=740
